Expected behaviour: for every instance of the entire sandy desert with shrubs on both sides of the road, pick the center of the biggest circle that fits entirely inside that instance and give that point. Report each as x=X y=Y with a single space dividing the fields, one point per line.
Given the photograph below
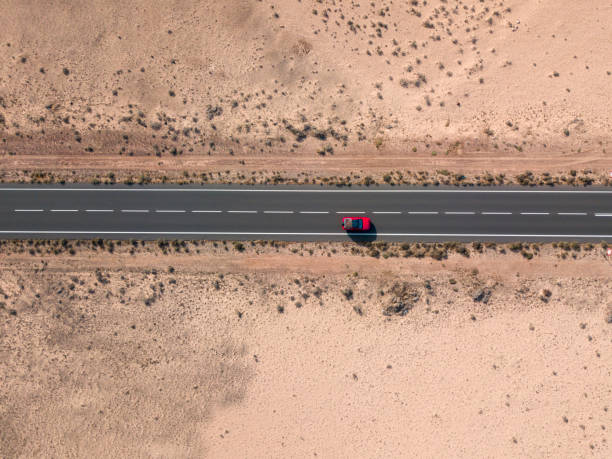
x=293 y=350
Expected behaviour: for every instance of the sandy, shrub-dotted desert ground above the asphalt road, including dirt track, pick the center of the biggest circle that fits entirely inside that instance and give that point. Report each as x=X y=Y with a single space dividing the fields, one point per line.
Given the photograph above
x=304 y=87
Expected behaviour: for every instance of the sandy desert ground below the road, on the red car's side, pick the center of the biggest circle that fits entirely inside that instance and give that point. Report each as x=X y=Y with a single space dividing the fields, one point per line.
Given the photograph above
x=214 y=353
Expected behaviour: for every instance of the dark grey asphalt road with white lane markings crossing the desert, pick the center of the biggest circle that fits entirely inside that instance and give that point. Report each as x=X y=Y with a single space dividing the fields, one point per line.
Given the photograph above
x=425 y=214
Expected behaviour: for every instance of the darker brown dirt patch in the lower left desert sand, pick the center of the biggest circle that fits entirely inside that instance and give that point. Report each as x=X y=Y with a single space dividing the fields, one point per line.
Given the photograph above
x=123 y=365
